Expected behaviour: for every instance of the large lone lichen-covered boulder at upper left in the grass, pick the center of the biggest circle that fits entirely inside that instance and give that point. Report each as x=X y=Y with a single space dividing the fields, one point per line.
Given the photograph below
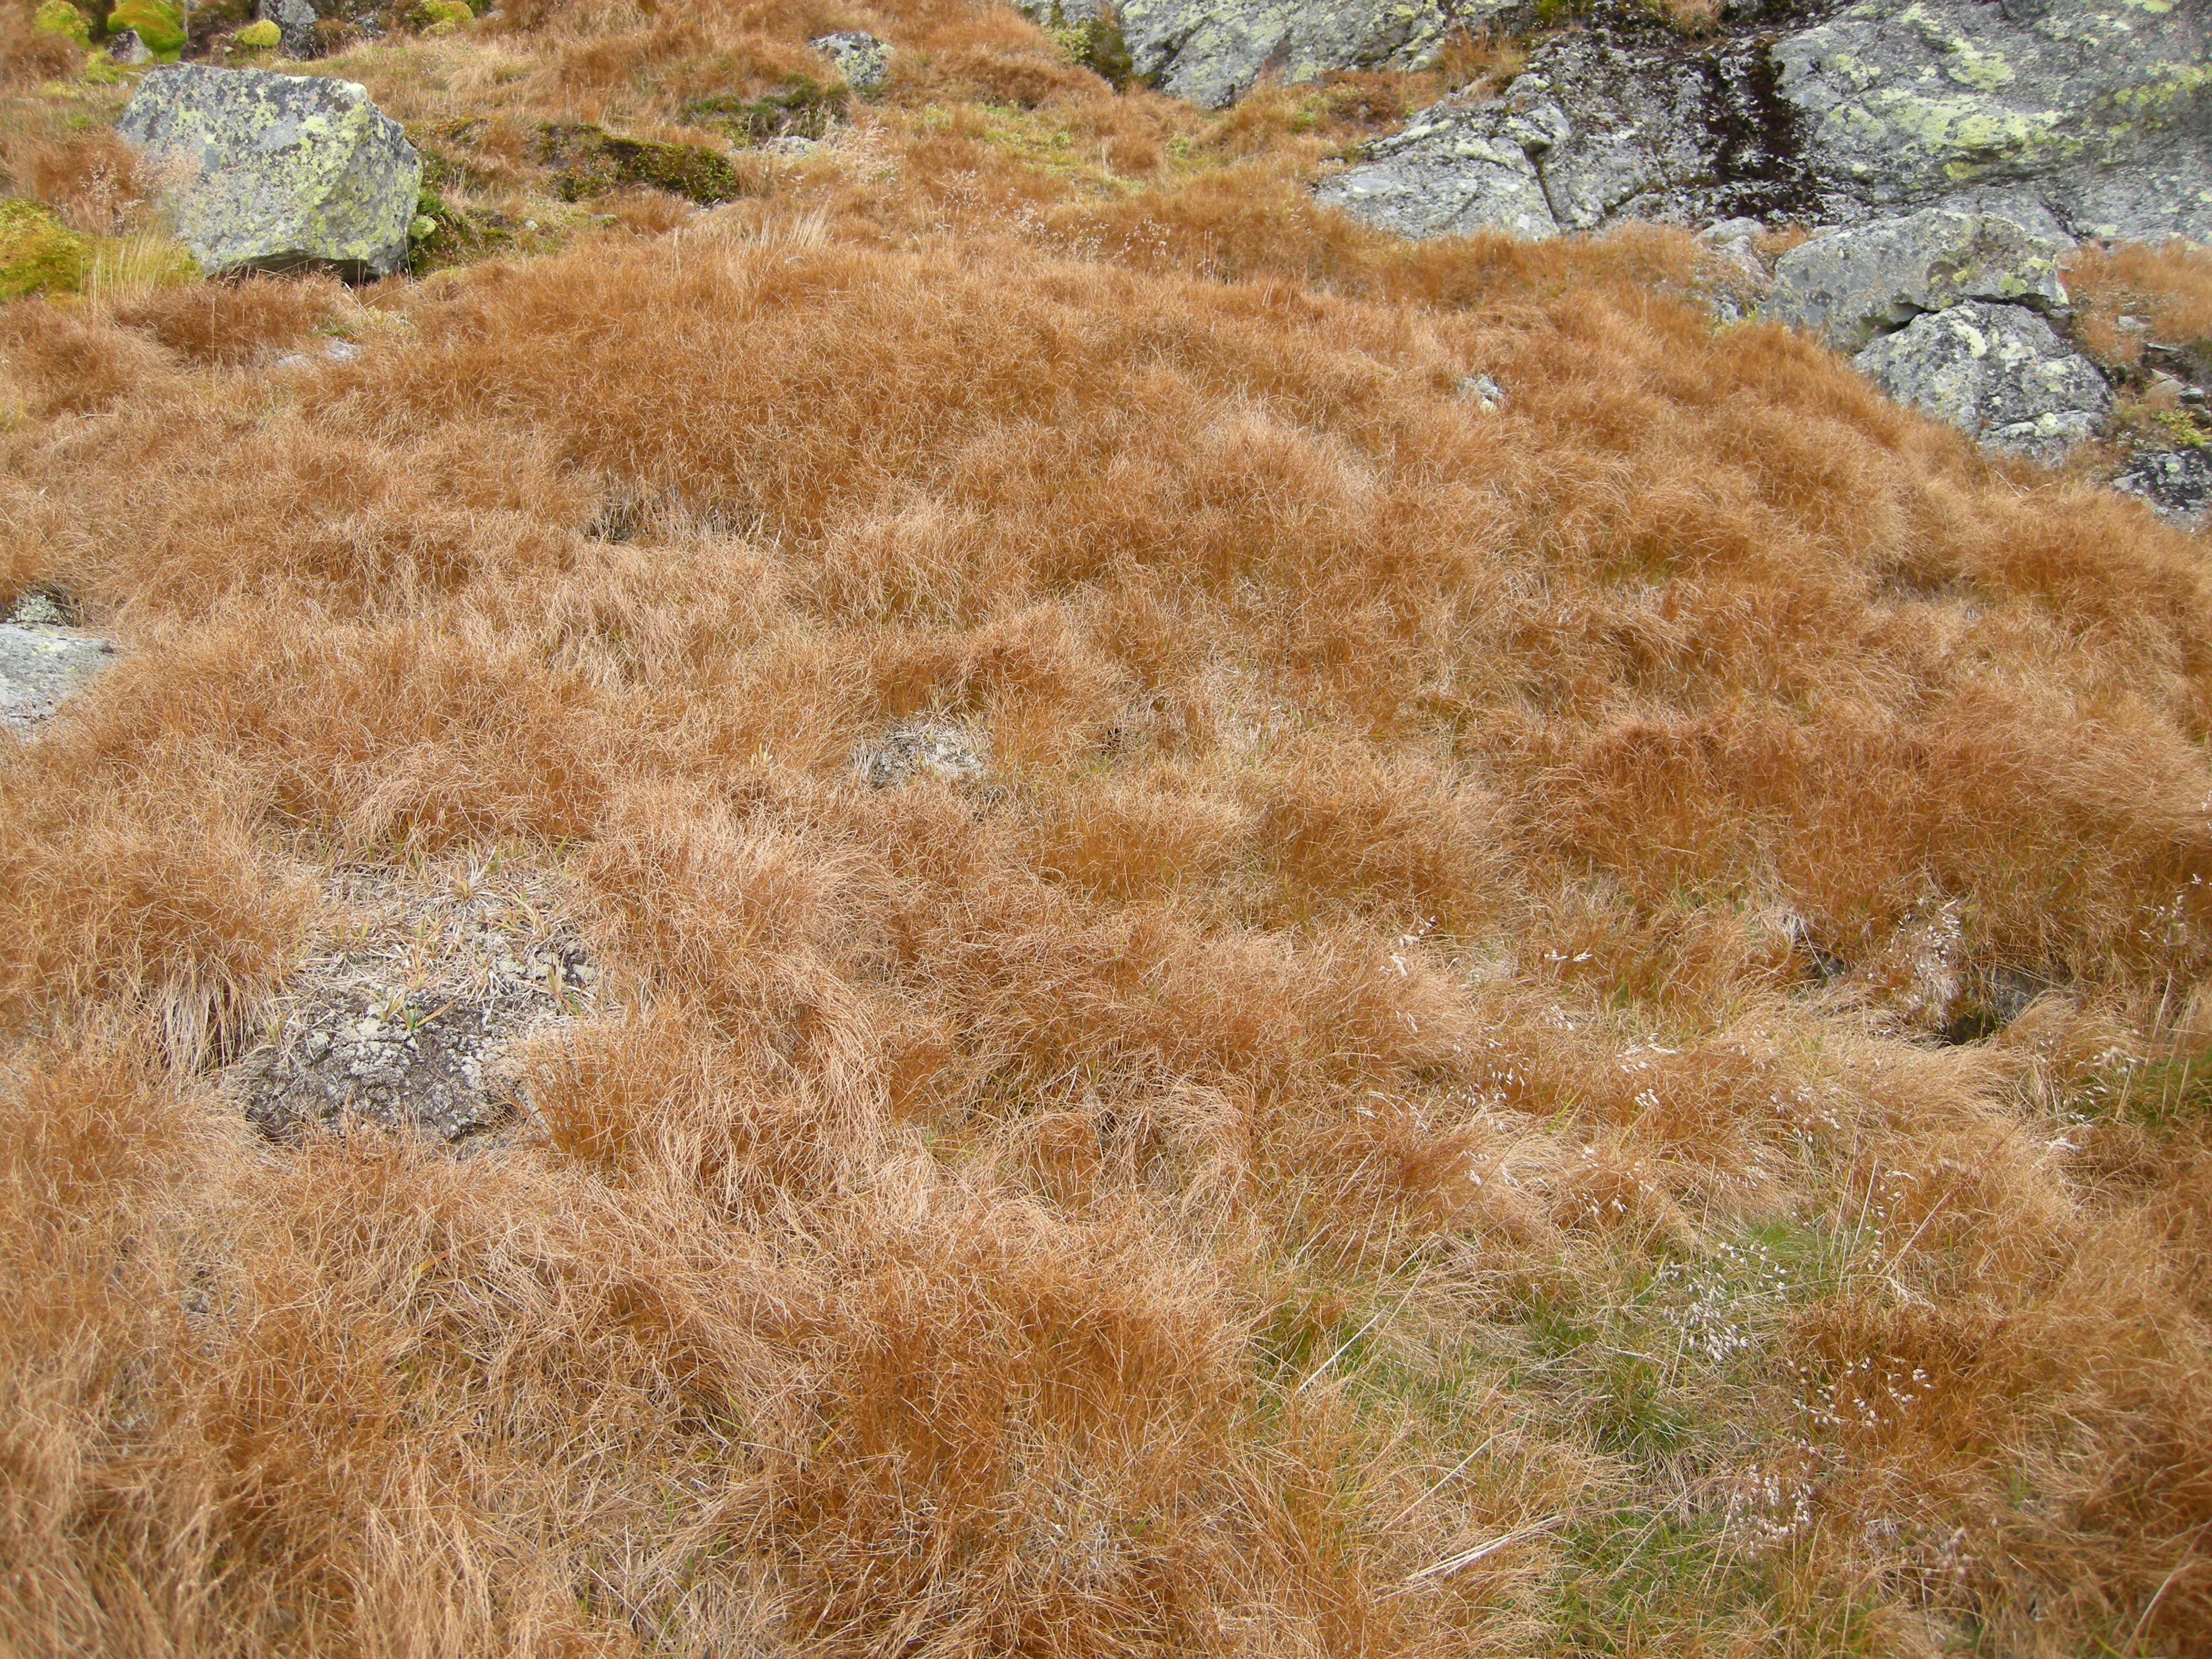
x=271 y=171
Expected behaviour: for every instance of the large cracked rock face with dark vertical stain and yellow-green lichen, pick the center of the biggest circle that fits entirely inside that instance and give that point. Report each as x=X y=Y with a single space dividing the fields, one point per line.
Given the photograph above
x=2065 y=116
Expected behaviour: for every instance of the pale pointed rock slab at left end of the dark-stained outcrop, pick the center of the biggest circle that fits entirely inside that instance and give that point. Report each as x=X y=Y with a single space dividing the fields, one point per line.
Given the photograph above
x=1457 y=169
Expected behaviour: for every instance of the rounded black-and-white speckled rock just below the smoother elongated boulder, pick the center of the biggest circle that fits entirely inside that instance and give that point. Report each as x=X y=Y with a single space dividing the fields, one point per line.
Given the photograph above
x=1996 y=373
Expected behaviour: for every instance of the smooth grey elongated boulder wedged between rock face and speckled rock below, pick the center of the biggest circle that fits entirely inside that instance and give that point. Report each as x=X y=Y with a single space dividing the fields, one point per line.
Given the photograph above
x=1857 y=284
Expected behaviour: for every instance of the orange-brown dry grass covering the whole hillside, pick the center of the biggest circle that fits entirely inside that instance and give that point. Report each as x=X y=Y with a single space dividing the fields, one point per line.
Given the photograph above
x=1561 y=1030
